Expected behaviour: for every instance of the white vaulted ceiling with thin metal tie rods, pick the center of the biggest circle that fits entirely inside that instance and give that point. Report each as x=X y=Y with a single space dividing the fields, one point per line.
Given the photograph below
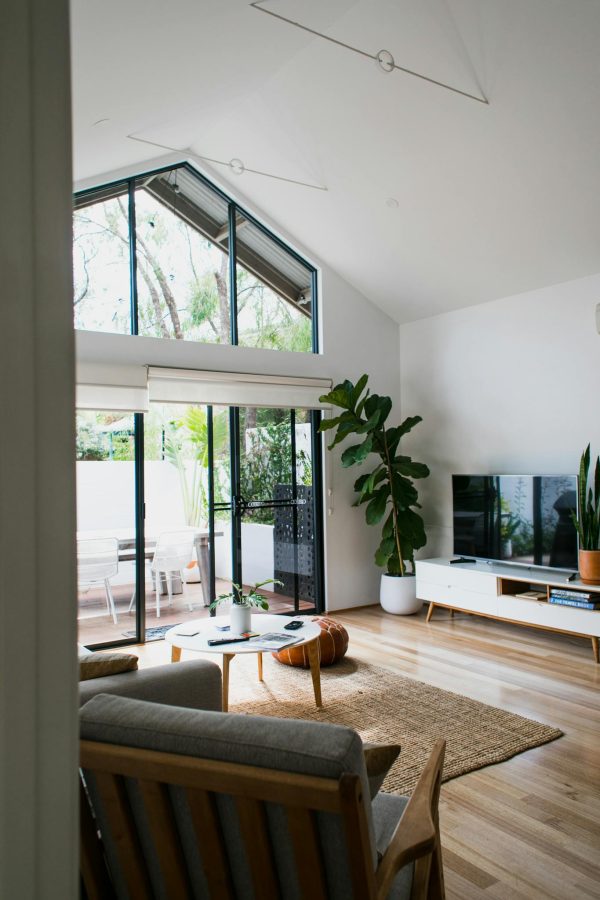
x=491 y=200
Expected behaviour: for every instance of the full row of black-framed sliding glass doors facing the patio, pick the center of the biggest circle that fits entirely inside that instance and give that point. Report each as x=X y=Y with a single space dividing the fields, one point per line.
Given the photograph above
x=237 y=492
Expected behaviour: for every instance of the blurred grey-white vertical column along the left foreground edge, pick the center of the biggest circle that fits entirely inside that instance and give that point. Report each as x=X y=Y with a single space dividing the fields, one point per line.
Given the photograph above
x=38 y=720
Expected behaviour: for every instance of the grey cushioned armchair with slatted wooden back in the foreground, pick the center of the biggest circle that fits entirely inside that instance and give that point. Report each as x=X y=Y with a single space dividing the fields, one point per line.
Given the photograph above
x=202 y=804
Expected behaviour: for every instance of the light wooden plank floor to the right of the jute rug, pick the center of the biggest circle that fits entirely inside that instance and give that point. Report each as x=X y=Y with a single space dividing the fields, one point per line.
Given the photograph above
x=528 y=827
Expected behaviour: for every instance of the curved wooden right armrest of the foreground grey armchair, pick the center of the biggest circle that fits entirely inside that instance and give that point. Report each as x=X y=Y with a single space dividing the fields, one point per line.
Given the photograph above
x=416 y=833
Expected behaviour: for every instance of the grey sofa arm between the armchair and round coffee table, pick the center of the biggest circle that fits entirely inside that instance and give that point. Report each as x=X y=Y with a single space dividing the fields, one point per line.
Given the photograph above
x=194 y=685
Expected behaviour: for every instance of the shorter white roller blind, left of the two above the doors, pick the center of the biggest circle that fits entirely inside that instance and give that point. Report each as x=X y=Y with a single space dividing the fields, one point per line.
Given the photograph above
x=111 y=388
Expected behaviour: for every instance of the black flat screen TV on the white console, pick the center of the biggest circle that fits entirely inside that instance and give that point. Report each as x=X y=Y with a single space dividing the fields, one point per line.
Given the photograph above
x=522 y=519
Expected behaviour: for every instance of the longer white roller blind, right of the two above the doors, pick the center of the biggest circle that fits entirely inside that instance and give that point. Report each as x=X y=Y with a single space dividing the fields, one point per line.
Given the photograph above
x=235 y=389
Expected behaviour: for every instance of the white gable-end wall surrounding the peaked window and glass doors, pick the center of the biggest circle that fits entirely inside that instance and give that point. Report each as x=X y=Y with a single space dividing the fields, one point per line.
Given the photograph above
x=356 y=337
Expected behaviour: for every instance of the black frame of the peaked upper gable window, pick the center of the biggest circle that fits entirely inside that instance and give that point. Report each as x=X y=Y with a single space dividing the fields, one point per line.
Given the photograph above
x=235 y=211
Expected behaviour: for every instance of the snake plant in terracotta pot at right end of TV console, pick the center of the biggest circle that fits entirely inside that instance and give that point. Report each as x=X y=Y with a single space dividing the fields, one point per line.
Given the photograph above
x=587 y=521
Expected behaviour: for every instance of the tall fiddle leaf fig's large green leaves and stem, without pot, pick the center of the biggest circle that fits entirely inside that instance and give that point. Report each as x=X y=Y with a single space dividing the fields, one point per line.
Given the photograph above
x=388 y=490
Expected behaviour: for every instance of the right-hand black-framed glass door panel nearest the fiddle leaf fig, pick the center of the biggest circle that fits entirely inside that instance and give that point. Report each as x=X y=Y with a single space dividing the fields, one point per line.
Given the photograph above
x=274 y=505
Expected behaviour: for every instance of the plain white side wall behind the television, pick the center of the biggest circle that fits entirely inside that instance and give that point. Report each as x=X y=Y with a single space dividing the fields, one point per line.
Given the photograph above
x=510 y=387
